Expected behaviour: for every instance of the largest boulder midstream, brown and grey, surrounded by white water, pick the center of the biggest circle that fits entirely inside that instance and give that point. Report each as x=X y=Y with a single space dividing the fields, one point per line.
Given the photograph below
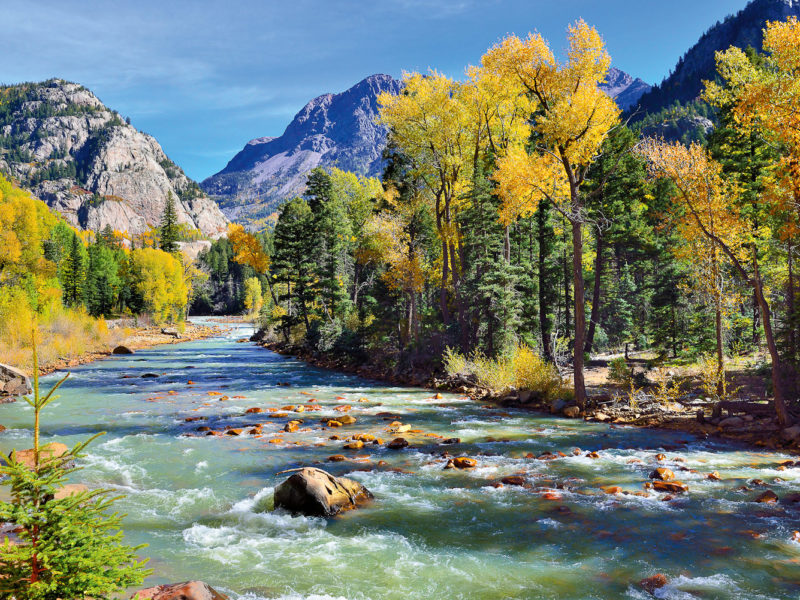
x=317 y=493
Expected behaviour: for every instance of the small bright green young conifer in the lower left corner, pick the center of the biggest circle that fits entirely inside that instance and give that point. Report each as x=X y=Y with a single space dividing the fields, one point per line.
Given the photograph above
x=71 y=544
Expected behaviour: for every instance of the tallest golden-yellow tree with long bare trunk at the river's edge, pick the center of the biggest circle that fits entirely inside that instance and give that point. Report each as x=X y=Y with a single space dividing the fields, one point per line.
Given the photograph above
x=571 y=118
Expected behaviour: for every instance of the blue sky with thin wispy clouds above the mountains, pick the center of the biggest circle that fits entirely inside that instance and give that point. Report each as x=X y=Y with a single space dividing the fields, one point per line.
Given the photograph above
x=204 y=77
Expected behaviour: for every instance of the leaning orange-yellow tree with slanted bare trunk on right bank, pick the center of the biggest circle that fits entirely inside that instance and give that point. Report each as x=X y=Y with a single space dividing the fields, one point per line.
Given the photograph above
x=709 y=201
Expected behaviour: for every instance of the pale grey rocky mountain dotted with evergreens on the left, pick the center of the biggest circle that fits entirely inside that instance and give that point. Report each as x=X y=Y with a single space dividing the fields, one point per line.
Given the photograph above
x=90 y=165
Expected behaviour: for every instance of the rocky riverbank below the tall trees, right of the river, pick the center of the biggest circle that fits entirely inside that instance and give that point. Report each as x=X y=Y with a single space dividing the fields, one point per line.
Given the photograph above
x=749 y=423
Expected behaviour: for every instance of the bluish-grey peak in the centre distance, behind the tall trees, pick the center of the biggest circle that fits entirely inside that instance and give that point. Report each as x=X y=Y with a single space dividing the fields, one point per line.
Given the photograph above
x=333 y=130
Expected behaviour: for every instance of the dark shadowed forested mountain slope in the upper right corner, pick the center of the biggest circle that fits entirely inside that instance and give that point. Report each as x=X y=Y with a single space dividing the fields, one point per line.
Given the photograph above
x=743 y=29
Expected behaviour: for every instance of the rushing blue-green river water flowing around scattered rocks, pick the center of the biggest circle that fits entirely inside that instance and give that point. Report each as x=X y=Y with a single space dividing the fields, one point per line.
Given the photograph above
x=203 y=504
